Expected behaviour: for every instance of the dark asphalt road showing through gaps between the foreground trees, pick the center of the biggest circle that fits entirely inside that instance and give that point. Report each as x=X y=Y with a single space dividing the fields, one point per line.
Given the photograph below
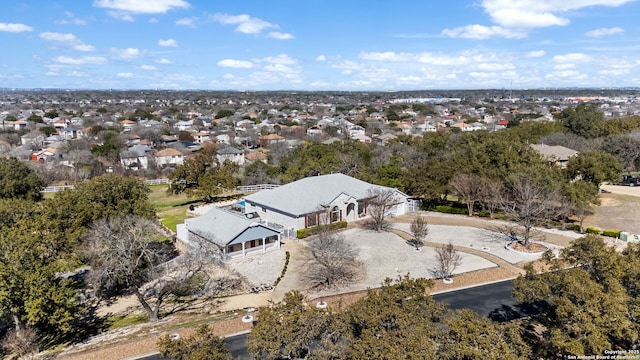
x=494 y=301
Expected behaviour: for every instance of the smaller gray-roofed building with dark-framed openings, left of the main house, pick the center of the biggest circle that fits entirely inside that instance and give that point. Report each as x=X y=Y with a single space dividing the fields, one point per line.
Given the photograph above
x=232 y=234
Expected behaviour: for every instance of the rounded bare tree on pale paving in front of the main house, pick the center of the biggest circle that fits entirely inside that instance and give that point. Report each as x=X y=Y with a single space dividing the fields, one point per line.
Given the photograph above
x=333 y=262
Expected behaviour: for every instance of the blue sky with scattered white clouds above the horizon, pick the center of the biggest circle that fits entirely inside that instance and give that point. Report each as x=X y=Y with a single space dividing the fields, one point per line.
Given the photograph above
x=319 y=44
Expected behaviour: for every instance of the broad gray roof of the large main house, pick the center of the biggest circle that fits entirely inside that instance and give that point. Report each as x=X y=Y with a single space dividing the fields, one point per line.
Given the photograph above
x=306 y=195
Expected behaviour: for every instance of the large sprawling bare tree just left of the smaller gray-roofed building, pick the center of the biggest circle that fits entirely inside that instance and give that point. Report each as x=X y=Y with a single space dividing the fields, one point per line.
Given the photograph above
x=128 y=255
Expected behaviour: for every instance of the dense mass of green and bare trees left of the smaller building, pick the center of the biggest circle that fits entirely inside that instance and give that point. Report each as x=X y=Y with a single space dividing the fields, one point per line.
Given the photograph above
x=60 y=256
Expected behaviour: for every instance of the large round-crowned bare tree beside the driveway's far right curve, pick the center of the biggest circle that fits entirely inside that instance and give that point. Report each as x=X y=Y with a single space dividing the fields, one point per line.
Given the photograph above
x=528 y=203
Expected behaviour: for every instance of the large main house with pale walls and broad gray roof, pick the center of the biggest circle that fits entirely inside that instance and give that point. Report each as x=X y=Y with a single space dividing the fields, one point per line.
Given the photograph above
x=316 y=200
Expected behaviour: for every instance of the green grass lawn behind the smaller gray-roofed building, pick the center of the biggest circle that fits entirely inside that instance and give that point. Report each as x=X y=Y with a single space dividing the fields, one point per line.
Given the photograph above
x=171 y=209
